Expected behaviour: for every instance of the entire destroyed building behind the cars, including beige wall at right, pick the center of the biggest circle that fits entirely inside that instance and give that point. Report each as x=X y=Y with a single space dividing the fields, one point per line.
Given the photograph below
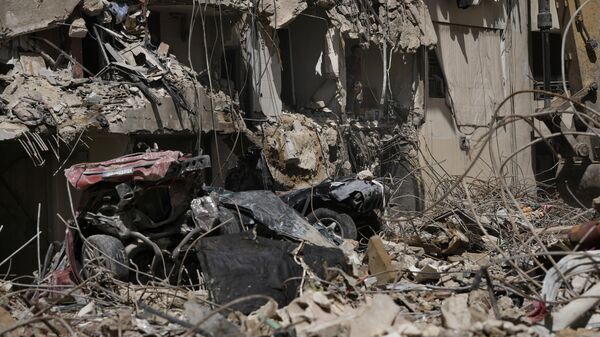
x=338 y=87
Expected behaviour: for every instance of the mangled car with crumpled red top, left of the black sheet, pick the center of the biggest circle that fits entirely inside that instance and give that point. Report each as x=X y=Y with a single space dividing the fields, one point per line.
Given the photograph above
x=131 y=206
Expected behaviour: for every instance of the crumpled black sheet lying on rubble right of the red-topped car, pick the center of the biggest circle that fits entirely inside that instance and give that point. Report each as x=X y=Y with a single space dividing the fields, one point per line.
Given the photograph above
x=242 y=264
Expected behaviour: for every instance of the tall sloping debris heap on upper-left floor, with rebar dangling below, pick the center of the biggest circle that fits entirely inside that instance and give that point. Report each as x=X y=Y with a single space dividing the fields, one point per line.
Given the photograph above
x=45 y=90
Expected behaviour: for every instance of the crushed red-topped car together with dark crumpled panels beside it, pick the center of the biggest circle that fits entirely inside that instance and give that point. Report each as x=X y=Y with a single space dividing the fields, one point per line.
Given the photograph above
x=148 y=216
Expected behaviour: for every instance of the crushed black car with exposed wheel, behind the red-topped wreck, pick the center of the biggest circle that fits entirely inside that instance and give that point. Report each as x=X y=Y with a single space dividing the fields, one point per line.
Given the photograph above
x=340 y=208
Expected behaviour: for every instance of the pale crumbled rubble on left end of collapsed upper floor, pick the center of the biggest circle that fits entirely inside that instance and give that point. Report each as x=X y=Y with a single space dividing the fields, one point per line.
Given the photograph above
x=55 y=100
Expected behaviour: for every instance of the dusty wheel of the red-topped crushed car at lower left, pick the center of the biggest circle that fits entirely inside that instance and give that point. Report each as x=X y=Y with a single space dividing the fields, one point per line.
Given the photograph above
x=111 y=247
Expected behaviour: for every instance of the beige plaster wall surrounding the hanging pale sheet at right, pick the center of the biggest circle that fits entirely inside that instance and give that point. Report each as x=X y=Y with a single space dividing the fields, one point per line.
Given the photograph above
x=439 y=136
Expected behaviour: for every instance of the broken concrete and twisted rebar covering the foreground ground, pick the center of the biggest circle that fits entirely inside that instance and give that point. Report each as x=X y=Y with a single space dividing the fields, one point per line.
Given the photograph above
x=471 y=265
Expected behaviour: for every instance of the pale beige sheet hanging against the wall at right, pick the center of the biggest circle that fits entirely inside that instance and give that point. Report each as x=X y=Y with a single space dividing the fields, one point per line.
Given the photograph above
x=471 y=59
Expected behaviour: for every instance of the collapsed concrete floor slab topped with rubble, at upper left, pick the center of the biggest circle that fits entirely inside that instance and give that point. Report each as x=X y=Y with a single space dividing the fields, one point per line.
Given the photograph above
x=41 y=98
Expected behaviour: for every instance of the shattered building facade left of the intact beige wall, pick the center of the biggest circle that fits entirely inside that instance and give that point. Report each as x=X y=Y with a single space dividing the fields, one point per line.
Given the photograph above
x=127 y=72
